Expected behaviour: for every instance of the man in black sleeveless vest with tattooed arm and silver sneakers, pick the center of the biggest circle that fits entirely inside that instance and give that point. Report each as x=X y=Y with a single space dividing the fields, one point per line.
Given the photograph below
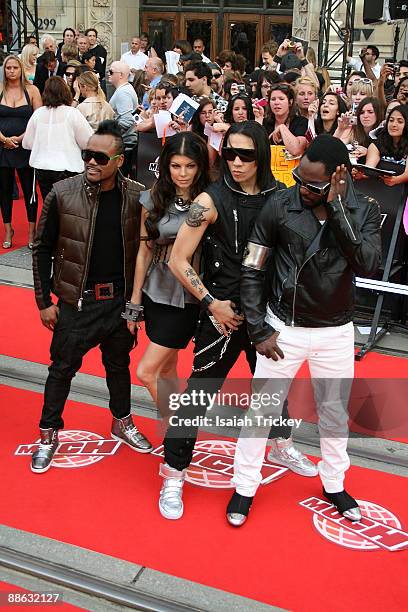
x=222 y=218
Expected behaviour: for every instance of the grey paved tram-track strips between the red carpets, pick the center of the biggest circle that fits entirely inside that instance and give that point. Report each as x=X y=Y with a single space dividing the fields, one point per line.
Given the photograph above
x=41 y=564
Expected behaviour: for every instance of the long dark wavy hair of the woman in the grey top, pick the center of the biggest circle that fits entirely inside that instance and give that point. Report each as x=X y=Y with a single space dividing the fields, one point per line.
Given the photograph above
x=163 y=191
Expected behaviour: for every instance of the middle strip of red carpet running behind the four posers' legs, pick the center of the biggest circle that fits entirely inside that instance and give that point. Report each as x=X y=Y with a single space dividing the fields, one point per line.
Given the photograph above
x=23 y=336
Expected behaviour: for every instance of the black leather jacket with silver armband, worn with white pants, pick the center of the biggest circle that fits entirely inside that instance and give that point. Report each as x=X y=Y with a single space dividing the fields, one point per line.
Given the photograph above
x=309 y=273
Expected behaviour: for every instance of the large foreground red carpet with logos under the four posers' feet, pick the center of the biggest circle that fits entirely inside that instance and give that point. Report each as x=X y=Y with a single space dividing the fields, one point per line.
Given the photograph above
x=279 y=557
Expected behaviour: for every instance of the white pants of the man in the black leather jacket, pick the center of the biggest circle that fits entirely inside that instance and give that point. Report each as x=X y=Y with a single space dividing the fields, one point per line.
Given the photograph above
x=330 y=354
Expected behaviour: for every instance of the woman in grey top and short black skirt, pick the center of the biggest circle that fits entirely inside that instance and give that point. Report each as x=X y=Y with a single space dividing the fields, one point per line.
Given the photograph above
x=170 y=312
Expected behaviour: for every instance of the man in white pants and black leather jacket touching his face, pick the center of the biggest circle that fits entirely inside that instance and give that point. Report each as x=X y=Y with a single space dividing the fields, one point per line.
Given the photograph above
x=297 y=295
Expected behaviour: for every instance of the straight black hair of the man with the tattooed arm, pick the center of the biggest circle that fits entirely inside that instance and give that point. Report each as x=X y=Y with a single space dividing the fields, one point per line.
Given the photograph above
x=262 y=146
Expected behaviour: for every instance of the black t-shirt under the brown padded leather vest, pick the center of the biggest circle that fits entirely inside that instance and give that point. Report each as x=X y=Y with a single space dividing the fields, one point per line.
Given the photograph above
x=106 y=263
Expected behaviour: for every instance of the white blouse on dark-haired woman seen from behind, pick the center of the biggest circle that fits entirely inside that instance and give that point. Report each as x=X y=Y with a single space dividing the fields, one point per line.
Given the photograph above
x=56 y=137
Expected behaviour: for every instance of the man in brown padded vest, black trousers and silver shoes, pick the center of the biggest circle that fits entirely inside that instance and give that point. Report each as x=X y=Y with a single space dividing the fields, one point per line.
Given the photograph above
x=89 y=234
